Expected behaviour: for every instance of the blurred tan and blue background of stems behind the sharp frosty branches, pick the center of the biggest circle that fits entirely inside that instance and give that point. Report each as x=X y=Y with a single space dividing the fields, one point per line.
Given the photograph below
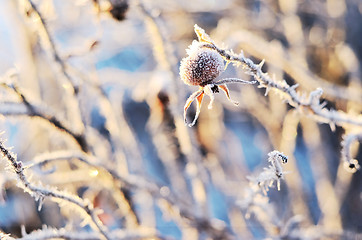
x=108 y=72
